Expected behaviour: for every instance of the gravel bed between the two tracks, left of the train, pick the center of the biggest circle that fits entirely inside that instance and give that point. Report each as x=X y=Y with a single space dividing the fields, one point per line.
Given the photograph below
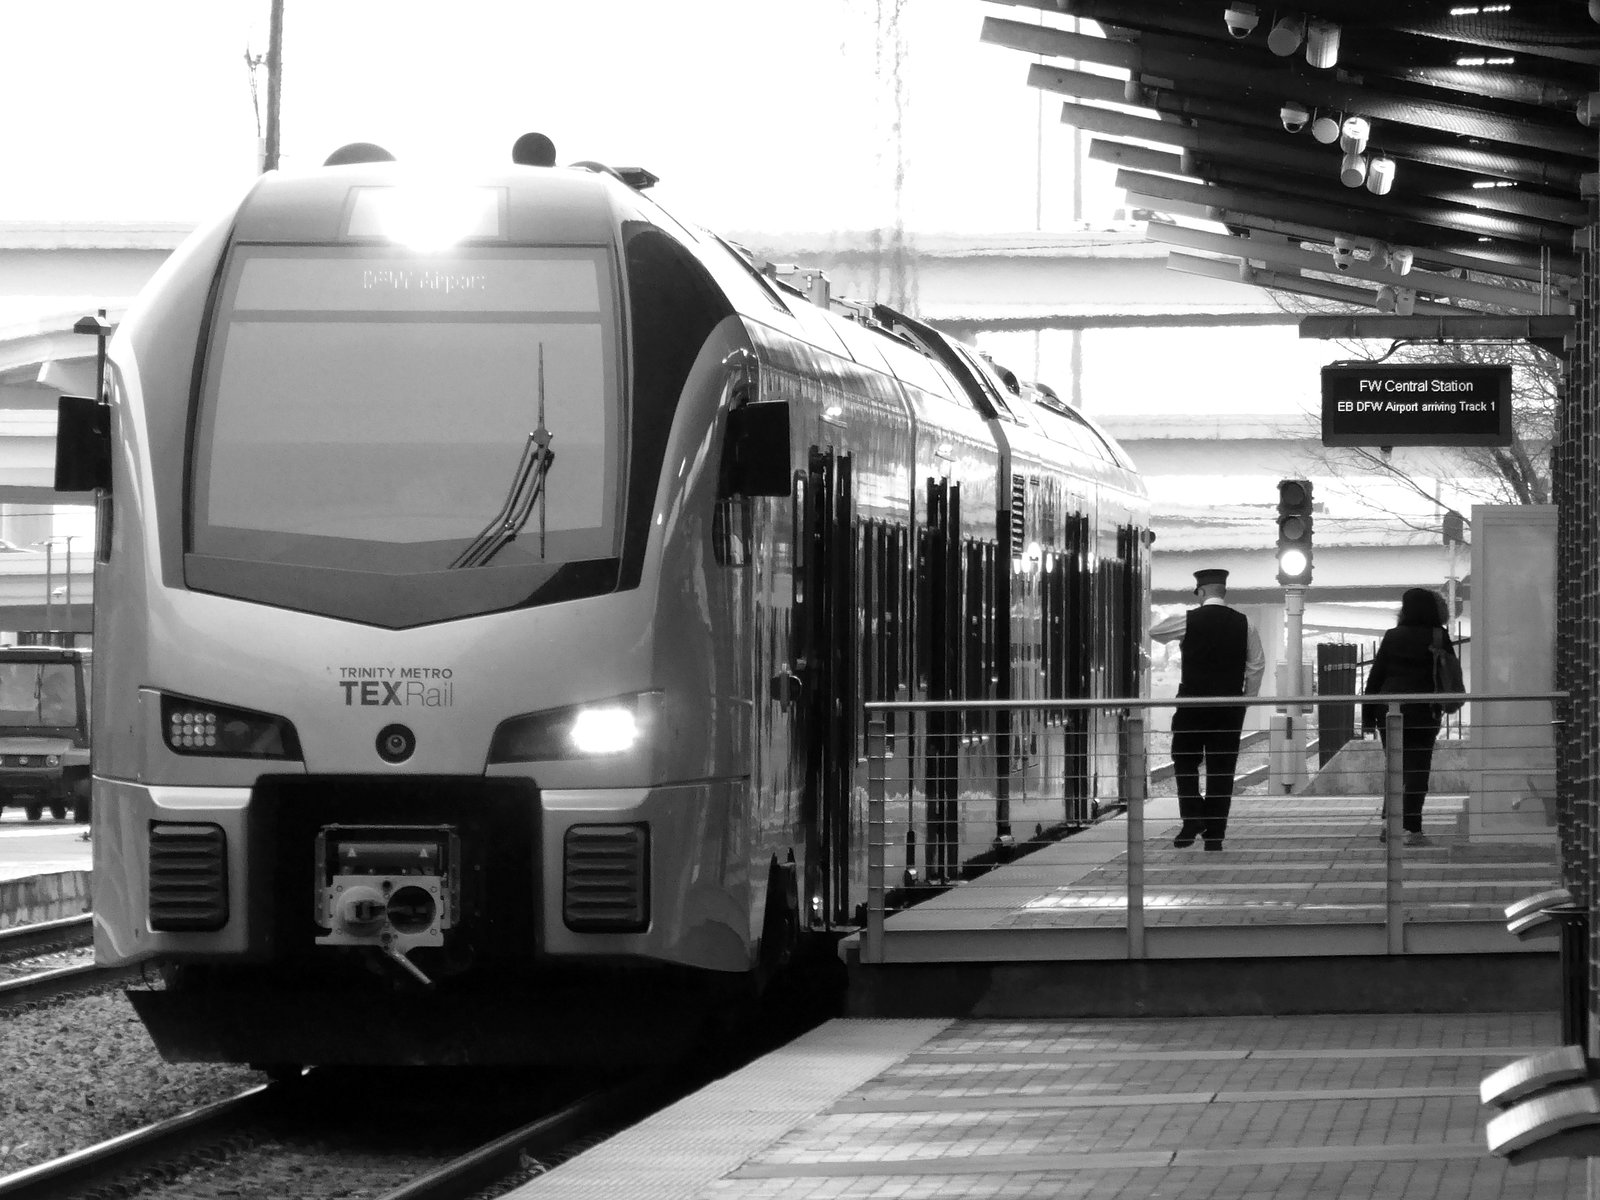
x=82 y=1070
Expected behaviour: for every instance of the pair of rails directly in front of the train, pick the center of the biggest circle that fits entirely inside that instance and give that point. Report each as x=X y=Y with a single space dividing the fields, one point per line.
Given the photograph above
x=172 y=1146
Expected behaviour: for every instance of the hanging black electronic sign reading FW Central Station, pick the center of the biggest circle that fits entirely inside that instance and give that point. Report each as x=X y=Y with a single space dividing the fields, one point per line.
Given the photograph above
x=1415 y=406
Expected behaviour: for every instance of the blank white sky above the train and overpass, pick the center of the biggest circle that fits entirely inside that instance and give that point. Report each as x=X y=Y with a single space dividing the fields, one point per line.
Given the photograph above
x=758 y=114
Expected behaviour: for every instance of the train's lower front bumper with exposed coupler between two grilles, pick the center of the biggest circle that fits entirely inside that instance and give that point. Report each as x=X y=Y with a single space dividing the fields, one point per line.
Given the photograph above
x=521 y=878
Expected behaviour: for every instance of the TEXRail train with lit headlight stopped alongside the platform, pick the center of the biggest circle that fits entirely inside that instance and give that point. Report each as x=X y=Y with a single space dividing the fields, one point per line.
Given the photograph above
x=490 y=577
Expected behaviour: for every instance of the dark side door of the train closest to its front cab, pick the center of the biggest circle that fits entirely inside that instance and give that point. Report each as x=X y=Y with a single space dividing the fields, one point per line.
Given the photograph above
x=825 y=626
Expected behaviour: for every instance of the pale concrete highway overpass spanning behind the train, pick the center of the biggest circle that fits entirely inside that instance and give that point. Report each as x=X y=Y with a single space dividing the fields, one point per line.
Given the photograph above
x=978 y=287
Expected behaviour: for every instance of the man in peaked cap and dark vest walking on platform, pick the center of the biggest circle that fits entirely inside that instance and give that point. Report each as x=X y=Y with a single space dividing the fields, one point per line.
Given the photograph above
x=1222 y=657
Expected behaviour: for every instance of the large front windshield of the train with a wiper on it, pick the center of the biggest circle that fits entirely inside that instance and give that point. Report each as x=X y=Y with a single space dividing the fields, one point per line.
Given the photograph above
x=374 y=412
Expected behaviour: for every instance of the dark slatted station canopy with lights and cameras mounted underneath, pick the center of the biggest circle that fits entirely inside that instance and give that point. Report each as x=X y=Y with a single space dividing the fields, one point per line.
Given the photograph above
x=1428 y=167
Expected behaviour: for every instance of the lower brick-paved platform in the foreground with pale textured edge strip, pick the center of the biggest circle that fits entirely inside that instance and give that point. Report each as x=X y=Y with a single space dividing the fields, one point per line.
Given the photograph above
x=1297 y=1106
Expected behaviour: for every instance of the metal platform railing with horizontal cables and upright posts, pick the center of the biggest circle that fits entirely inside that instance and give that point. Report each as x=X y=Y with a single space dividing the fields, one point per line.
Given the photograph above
x=967 y=798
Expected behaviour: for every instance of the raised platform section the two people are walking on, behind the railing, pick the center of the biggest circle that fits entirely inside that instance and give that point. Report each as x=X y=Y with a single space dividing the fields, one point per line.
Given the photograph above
x=1303 y=911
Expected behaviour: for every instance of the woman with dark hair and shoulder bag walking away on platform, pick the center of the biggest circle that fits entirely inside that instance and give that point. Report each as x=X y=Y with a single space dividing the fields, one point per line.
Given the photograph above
x=1406 y=663
